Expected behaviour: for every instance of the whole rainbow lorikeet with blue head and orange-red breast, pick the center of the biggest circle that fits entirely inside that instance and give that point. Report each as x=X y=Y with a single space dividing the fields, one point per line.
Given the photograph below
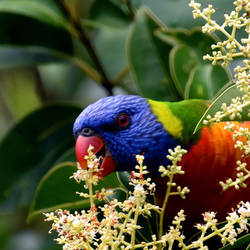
x=122 y=126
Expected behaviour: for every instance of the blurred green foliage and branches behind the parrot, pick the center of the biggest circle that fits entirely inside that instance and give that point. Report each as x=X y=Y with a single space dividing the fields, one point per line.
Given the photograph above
x=58 y=56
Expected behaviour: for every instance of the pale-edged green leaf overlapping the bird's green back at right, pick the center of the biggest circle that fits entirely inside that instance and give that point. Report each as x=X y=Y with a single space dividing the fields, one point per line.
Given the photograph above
x=225 y=97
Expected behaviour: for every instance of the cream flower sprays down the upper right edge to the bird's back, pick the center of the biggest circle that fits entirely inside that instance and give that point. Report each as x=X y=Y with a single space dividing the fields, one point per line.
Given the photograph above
x=227 y=50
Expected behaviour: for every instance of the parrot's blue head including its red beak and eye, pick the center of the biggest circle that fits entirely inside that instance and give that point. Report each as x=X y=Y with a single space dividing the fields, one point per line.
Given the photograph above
x=120 y=127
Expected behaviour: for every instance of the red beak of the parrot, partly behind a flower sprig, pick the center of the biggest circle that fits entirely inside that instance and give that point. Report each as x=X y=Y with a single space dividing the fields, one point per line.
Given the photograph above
x=81 y=149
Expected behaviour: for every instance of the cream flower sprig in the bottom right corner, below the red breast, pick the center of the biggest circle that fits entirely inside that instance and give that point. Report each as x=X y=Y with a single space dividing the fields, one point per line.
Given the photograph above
x=236 y=223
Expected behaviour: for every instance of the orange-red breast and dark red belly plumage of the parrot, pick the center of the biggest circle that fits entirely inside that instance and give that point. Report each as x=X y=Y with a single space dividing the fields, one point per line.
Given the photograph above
x=211 y=160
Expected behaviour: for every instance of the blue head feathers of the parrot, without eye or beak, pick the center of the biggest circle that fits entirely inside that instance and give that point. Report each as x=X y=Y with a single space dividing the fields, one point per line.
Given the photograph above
x=144 y=134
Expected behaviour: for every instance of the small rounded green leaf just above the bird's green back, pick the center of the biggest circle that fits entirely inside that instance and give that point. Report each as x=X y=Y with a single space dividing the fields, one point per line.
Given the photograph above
x=205 y=81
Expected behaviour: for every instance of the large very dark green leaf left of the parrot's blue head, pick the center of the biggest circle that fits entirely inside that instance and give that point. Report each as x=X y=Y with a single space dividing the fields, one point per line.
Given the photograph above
x=36 y=141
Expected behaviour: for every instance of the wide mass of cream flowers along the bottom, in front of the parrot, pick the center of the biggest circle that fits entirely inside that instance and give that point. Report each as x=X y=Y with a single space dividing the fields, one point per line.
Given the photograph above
x=114 y=224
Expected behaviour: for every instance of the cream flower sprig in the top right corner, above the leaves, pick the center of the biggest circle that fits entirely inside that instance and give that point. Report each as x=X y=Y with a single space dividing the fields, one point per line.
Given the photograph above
x=230 y=48
